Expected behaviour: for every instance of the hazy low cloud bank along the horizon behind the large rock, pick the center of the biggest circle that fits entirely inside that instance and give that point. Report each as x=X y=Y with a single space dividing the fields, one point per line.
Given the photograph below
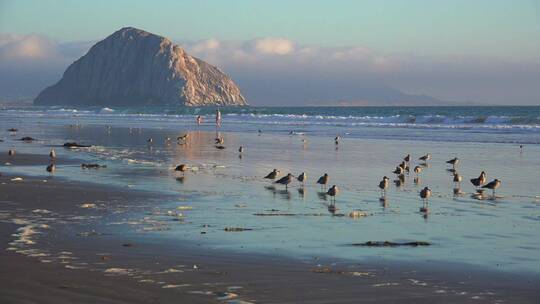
x=278 y=71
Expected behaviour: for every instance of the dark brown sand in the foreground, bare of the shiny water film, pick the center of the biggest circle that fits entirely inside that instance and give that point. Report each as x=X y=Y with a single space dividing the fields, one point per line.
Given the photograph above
x=127 y=269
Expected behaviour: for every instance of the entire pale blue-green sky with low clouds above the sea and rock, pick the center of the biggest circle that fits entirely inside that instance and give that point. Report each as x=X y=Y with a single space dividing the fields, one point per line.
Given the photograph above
x=300 y=52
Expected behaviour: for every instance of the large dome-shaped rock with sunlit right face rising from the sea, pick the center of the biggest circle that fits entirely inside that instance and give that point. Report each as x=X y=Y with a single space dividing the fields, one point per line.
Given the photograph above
x=134 y=67
